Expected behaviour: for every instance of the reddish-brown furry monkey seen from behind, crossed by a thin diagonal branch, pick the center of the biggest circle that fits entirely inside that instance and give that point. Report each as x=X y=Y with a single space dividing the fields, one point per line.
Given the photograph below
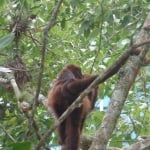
x=67 y=88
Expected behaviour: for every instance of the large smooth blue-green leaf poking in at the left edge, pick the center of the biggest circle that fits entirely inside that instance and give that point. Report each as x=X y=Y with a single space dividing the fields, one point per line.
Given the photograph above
x=6 y=40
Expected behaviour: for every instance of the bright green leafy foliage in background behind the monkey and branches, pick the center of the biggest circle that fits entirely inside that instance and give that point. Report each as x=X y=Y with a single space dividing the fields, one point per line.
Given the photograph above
x=89 y=33
